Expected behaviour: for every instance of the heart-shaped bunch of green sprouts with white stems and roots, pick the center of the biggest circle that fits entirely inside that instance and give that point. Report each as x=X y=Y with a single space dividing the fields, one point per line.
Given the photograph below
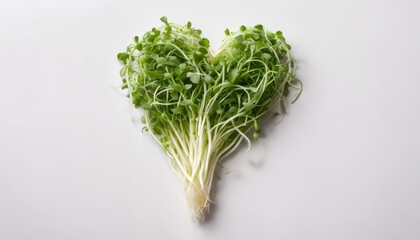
x=199 y=106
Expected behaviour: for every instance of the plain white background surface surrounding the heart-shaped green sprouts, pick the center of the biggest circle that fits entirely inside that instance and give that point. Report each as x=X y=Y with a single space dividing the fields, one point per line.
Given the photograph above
x=344 y=164
